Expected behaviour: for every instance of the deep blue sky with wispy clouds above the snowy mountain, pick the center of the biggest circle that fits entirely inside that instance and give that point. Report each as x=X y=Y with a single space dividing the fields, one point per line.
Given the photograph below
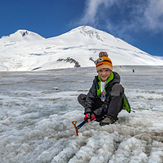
x=138 y=22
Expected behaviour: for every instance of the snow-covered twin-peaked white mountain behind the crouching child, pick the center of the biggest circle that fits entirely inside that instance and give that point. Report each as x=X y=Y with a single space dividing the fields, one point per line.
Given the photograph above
x=26 y=51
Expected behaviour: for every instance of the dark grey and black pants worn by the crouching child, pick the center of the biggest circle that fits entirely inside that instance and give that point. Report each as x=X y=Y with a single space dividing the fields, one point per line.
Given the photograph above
x=114 y=106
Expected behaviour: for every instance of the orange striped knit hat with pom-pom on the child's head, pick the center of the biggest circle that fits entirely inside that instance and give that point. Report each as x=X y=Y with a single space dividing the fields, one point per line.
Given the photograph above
x=103 y=61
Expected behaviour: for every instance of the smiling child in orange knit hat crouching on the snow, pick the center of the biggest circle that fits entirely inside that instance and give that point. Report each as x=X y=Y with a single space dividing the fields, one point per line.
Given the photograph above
x=106 y=97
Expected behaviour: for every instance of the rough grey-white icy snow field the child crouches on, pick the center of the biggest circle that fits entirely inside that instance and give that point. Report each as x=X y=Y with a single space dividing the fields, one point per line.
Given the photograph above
x=37 y=110
